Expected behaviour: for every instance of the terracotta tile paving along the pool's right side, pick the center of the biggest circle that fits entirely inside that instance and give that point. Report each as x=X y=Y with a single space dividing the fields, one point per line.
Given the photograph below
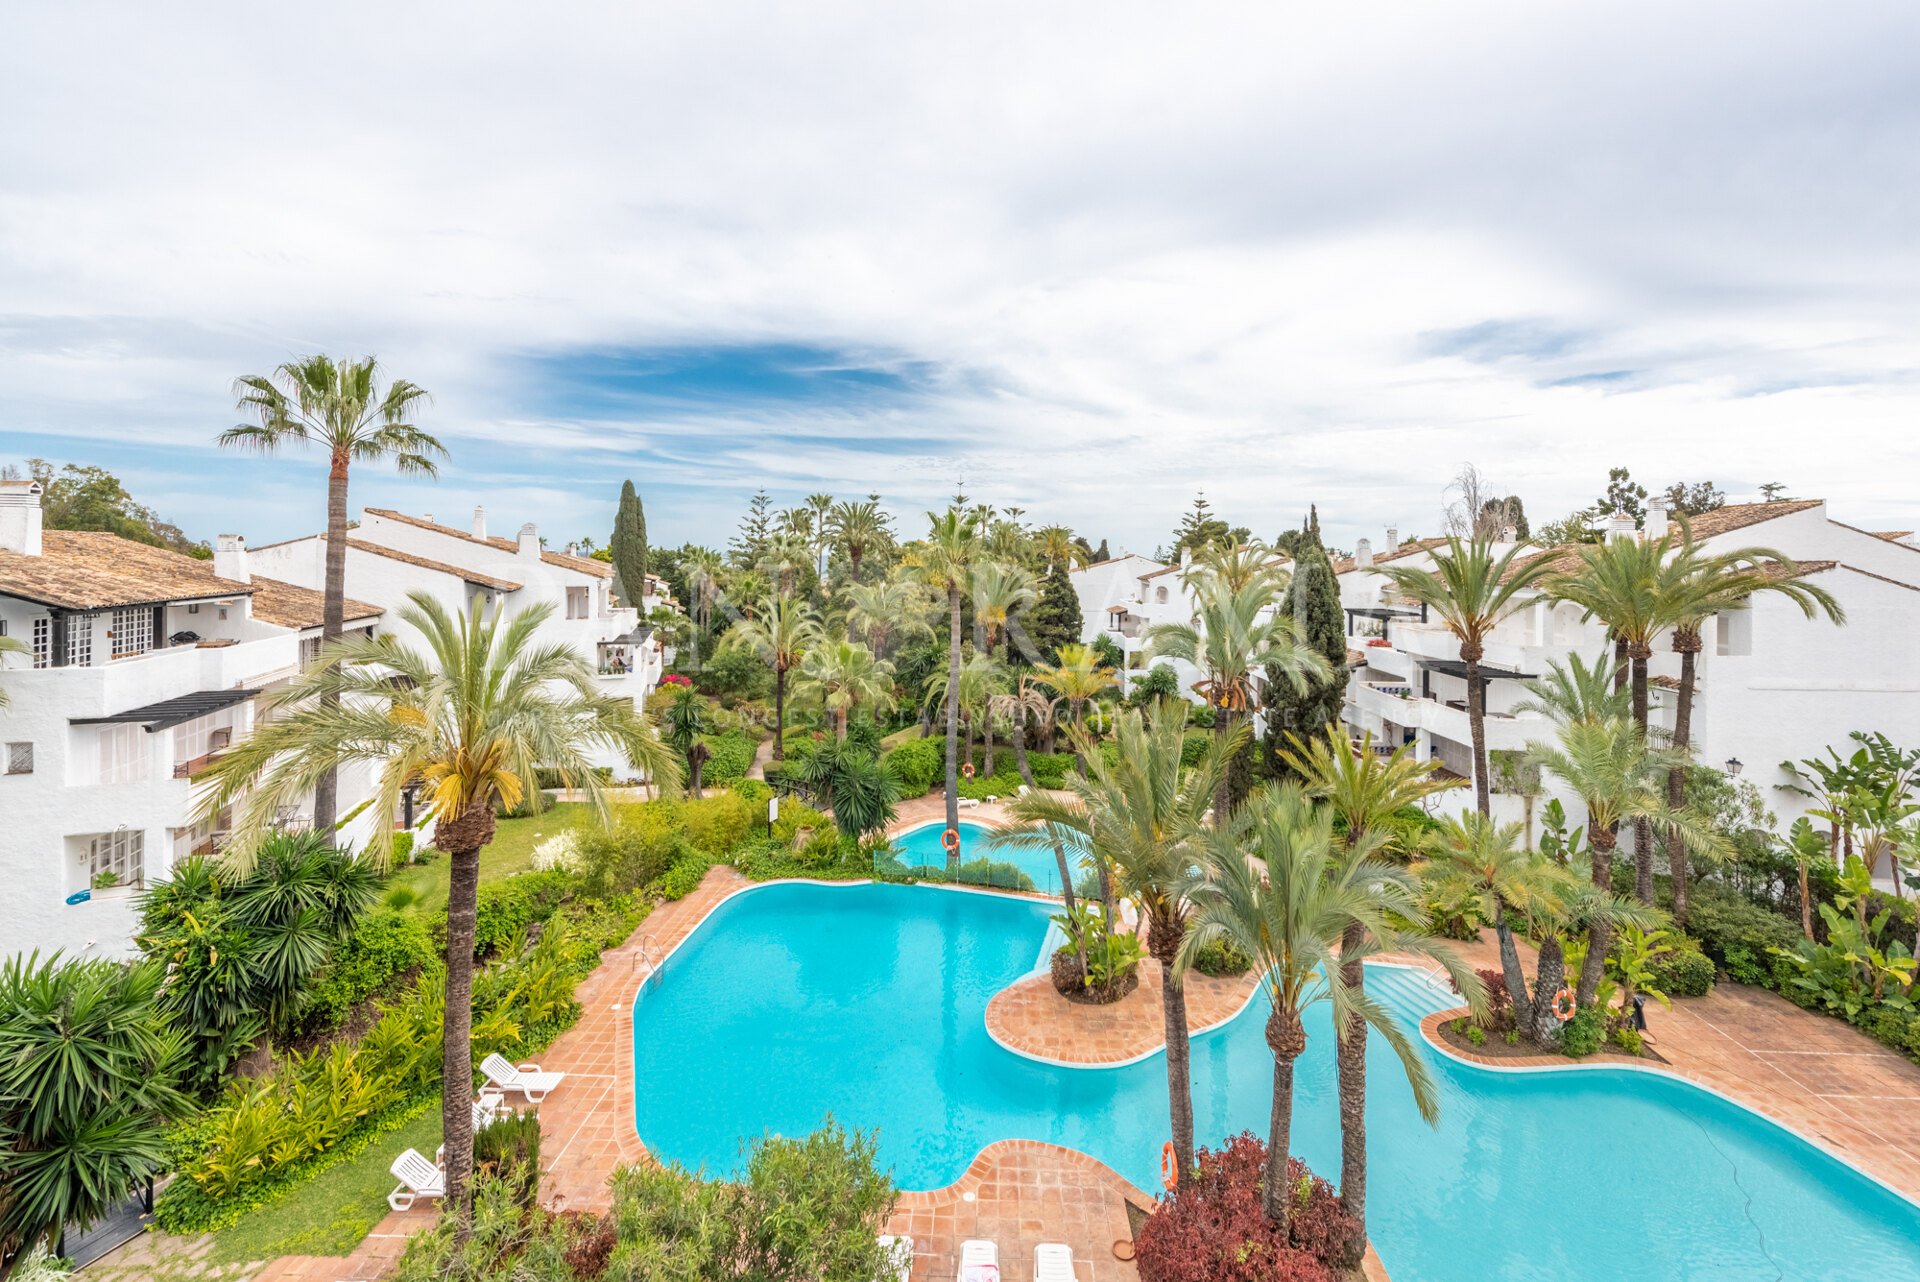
x=1812 y=1074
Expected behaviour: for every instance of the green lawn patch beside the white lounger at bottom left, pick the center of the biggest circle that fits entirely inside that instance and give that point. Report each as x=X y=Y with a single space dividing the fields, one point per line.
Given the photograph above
x=331 y=1214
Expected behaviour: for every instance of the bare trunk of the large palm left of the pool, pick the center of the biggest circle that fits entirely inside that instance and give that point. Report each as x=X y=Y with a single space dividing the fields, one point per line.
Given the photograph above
x=464 y=840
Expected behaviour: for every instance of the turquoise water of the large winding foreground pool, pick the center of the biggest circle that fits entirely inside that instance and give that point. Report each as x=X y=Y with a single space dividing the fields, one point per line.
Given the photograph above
x=871 y=1003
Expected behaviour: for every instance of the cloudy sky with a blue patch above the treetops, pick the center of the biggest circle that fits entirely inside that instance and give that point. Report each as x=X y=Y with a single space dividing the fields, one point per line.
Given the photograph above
x=1086 y=260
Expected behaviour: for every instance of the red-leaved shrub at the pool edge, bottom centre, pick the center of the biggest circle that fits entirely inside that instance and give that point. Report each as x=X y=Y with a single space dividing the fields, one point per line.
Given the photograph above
x=1214 y=1229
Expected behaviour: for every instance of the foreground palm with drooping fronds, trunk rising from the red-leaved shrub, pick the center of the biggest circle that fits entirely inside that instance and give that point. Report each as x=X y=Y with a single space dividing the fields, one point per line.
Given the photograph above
x=1287 y=909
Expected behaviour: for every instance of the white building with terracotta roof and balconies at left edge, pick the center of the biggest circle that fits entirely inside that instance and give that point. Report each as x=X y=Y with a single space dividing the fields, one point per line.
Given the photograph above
x=143 y=667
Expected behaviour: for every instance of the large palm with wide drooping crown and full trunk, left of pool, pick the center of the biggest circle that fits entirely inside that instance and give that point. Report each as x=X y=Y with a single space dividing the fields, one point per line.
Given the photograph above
x=477 y=717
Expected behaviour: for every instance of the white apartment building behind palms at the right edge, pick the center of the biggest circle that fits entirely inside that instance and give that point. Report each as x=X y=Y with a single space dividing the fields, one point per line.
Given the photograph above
x=1771 y=686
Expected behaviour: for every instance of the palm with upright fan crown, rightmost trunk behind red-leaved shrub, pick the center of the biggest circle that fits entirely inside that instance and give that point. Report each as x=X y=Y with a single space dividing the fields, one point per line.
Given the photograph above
x=1364 y=792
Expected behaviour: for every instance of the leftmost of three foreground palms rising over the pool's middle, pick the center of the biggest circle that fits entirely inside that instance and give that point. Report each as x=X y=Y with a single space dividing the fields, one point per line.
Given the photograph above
x=1147 y=819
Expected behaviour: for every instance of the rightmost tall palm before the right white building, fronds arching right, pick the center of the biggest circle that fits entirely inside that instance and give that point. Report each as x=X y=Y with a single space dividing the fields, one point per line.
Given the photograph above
x=1696 y=586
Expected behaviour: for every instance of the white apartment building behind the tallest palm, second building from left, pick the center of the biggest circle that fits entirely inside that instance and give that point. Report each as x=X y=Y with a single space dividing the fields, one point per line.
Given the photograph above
x=393 y=556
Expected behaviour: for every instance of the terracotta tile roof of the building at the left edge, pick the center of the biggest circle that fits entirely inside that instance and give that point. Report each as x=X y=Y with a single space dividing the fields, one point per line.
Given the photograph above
x=95 y=571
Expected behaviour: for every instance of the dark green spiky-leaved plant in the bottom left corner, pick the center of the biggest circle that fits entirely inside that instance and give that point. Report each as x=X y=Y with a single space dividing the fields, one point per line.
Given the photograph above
x=89 y=1085
